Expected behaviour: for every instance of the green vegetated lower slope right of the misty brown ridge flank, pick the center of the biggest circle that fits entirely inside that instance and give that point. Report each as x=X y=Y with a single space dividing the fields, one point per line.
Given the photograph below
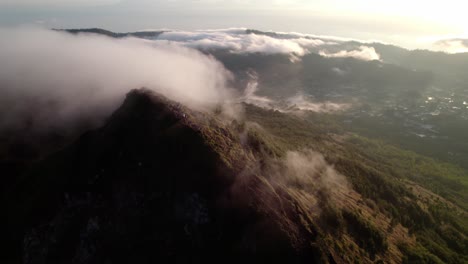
x=424 y=195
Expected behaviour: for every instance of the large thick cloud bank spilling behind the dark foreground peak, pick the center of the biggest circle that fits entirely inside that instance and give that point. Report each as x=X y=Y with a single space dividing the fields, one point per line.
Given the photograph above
x=48 y=78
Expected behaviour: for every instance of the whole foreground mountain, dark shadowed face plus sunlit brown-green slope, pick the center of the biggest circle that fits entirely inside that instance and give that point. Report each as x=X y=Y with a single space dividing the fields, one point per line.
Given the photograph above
x=163 y=183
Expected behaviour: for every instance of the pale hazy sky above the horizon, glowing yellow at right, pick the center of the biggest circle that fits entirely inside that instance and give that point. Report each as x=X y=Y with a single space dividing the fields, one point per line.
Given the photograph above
x=412 y=24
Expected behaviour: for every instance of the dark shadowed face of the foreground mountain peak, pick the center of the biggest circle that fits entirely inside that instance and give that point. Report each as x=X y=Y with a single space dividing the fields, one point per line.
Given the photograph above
x=149 y=187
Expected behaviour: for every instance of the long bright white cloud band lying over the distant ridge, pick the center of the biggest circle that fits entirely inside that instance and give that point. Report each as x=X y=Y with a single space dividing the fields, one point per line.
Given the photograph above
x=241 y=40
